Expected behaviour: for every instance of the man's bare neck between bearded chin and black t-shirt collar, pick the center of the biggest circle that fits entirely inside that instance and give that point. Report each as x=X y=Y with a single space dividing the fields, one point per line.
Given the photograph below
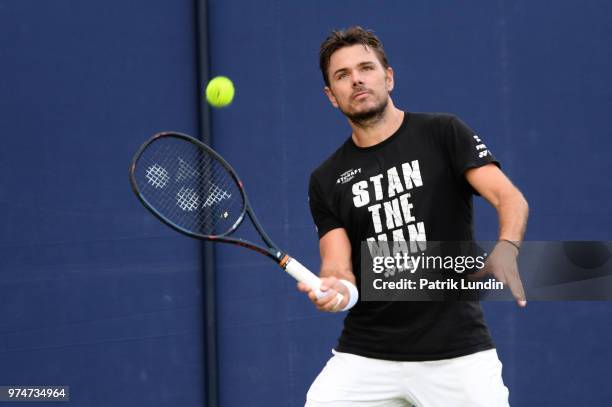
x=378 y=128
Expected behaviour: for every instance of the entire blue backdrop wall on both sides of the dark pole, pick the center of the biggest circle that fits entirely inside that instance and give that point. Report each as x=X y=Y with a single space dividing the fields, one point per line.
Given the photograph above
x=96 y=294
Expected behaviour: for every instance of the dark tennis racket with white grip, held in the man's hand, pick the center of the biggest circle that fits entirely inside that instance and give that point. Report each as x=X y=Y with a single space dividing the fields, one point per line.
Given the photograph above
x=191 y=188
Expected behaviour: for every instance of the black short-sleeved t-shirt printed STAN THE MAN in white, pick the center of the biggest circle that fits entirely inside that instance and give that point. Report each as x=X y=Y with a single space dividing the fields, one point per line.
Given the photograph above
x=423 y=163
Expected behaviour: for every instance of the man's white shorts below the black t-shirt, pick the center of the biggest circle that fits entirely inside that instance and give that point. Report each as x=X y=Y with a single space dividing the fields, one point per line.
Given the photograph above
x=349 y=380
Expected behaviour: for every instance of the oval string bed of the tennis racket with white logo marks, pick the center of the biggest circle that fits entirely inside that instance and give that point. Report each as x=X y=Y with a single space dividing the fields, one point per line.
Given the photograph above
x=189 y=186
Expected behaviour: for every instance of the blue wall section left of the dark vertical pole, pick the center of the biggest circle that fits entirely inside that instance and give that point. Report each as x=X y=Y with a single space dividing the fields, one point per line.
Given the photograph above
x=94 y=292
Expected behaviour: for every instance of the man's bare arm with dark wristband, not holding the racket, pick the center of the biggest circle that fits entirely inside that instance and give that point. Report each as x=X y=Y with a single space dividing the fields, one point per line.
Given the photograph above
x=512 y=210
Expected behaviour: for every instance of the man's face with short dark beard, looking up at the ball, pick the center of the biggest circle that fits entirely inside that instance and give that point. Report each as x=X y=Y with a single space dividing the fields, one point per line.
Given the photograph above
x=358 y=84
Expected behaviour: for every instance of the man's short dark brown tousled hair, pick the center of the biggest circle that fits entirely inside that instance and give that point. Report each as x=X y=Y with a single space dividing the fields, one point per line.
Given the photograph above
x=346 y=38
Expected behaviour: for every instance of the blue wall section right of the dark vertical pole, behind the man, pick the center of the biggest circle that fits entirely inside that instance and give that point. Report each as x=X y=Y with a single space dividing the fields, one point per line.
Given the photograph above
x=530 y=77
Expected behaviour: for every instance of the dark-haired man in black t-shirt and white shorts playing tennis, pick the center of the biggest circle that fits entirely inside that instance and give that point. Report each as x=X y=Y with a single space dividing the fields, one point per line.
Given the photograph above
x=404 y=353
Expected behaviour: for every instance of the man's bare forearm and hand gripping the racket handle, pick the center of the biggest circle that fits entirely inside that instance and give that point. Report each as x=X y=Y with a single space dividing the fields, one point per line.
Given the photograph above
x=336 y=265
